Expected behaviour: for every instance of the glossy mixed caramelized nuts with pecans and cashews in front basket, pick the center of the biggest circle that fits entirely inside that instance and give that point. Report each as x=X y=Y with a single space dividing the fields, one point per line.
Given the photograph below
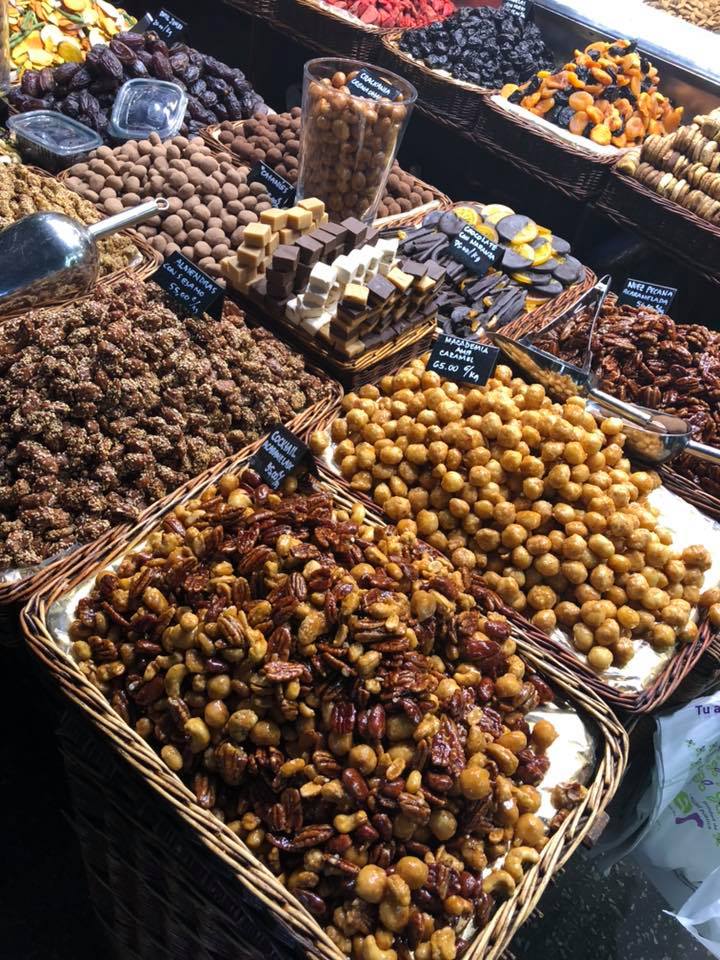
x=346 y=702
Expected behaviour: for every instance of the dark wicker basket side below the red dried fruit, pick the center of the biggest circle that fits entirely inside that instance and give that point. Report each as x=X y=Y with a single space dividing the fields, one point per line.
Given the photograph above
x=320 y=27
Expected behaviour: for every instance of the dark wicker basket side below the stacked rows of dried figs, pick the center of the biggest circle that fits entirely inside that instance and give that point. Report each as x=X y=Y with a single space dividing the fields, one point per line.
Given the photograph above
x=683 y=234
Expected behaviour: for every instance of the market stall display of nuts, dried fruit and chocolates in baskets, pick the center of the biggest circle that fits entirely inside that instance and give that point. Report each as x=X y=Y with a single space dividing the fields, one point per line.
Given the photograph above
x=355 y=520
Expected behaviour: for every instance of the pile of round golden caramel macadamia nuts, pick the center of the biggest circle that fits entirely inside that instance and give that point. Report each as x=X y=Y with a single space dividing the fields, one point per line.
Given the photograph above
x=537 y=495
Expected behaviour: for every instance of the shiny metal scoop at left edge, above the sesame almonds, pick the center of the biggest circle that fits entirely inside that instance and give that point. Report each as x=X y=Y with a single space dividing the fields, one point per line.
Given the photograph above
x=48 y=257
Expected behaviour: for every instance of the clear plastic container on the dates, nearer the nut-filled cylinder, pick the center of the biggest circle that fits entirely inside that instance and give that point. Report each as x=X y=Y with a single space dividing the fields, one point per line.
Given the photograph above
x=143 y=107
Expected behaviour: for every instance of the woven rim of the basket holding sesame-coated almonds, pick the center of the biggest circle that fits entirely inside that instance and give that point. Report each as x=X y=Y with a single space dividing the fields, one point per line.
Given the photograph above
x=303 y=423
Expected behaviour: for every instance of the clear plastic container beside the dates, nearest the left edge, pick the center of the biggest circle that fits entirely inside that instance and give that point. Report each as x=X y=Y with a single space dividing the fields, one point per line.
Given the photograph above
x=51 y=140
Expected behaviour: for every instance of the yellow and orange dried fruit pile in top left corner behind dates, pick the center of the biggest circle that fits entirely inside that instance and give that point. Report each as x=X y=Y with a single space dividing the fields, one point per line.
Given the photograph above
x=46 y=33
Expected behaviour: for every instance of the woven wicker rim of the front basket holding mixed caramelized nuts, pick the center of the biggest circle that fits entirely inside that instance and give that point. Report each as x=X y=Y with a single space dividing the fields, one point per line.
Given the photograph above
x=252 y=874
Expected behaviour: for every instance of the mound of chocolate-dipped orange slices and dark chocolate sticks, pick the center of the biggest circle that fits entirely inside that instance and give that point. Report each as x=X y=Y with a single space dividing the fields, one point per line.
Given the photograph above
x=535 y=267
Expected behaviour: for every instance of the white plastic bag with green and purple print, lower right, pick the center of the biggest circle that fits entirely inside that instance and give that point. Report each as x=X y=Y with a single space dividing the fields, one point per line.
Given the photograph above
x=680 y=850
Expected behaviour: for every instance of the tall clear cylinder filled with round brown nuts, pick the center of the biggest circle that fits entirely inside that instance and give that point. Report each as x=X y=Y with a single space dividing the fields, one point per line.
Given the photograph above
x=349 y=142
